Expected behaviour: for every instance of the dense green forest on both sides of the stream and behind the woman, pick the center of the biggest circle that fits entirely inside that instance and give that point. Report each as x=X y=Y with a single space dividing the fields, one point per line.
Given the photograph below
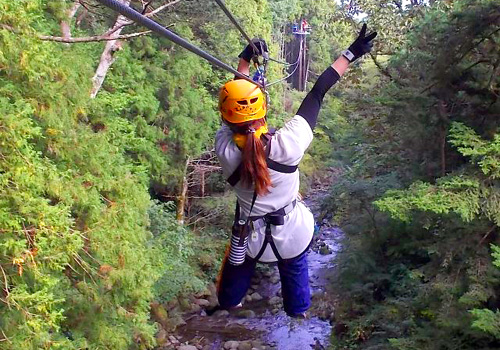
x=103 y=126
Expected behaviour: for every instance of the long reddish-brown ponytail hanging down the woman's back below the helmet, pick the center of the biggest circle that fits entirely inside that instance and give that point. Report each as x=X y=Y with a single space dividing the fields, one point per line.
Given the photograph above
x=255 y=171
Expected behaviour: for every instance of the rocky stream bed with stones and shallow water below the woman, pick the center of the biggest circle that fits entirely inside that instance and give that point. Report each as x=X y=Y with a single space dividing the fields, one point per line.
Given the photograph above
x=261 y=323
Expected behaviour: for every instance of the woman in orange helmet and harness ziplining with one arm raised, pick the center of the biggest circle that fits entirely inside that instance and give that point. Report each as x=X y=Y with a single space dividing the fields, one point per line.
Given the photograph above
x=272 y=224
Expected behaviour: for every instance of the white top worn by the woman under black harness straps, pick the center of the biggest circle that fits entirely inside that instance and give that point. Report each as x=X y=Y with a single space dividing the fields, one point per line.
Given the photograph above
x=288 y=146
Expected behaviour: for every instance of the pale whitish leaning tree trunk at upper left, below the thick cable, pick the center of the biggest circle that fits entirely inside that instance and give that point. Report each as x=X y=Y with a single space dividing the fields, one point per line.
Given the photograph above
x=108 y=55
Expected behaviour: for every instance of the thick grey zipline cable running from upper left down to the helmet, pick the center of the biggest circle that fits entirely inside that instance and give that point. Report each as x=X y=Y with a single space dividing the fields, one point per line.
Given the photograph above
x=157 y=28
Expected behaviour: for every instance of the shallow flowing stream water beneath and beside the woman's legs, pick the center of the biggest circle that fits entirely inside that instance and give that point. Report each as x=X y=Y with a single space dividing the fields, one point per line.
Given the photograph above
x=261 y=323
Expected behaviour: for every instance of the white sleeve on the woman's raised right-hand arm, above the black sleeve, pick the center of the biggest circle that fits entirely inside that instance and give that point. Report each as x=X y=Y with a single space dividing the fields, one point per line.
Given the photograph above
x=291 y=141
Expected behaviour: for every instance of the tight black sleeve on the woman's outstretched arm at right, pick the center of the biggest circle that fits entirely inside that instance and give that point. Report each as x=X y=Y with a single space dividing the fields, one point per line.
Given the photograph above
x=309 y=108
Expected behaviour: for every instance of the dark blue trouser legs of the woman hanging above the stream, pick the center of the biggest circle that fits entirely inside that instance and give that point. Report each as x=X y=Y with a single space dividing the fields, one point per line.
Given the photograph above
x=235 y=281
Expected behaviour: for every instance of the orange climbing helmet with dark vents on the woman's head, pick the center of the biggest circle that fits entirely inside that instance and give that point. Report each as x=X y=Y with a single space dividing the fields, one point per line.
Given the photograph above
x=241 y=101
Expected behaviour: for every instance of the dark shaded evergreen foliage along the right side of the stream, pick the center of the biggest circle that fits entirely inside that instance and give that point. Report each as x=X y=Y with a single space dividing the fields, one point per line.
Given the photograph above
x=411 y=283
